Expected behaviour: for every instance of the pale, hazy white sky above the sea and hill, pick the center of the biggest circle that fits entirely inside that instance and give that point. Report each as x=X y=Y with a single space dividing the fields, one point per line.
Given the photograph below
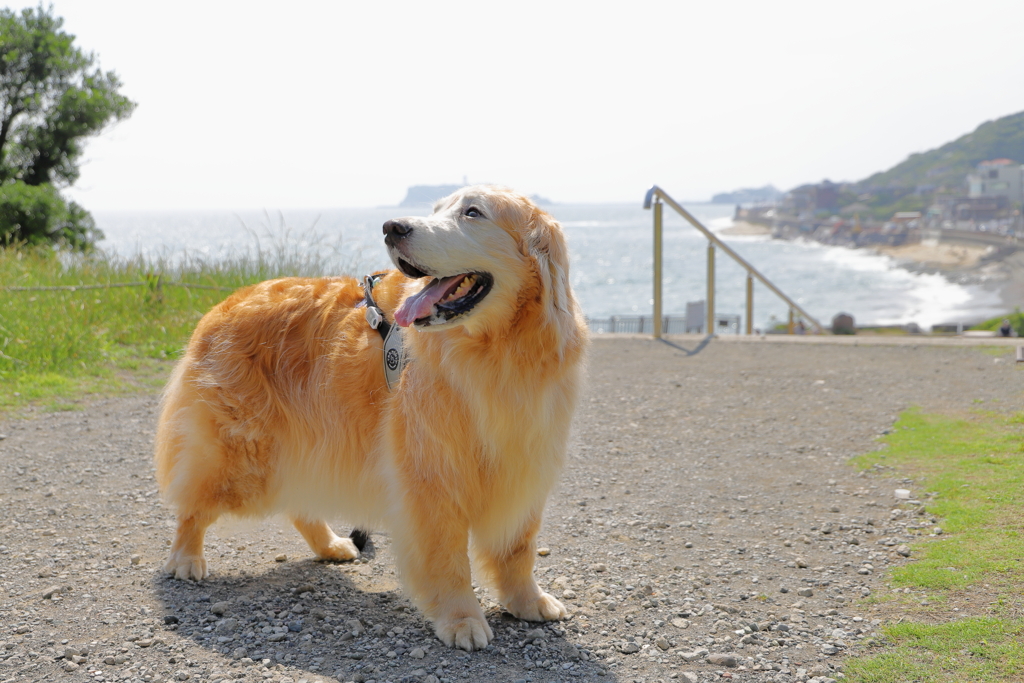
x=336 y=104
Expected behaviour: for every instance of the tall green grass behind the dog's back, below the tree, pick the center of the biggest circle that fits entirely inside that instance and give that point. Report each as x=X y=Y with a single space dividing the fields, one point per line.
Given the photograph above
x=59 y=347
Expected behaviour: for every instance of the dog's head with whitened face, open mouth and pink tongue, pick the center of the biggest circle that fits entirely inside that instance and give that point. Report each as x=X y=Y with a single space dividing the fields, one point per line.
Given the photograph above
x=484 y=253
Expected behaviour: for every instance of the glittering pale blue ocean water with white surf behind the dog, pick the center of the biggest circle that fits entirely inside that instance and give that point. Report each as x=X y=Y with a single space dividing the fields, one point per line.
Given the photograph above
x=611 y=248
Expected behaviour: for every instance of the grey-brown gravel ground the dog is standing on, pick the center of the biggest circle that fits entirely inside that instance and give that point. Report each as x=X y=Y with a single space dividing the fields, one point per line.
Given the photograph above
x=707 y=528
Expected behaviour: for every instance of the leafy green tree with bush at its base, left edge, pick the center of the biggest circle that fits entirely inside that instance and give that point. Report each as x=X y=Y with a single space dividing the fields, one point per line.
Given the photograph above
x=52 y=99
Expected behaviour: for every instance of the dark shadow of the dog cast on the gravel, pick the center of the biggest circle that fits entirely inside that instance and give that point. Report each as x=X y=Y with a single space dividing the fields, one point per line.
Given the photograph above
x=304 y=616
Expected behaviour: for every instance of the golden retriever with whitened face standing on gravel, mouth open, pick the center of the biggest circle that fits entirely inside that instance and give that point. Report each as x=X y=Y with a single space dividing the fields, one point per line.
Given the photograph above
x=280 y=405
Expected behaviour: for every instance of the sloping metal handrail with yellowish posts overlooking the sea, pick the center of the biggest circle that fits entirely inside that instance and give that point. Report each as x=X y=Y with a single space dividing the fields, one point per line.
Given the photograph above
x=656 y=195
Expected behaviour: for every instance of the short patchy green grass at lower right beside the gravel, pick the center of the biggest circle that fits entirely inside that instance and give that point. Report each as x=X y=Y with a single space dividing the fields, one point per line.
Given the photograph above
x=972 y=469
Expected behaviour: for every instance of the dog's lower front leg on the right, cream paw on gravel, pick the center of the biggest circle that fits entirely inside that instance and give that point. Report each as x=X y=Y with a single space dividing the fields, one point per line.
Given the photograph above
x=511 y=569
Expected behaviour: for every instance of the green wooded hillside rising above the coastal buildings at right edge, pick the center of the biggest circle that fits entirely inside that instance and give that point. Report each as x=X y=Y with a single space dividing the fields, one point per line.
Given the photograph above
x=948 y=166
